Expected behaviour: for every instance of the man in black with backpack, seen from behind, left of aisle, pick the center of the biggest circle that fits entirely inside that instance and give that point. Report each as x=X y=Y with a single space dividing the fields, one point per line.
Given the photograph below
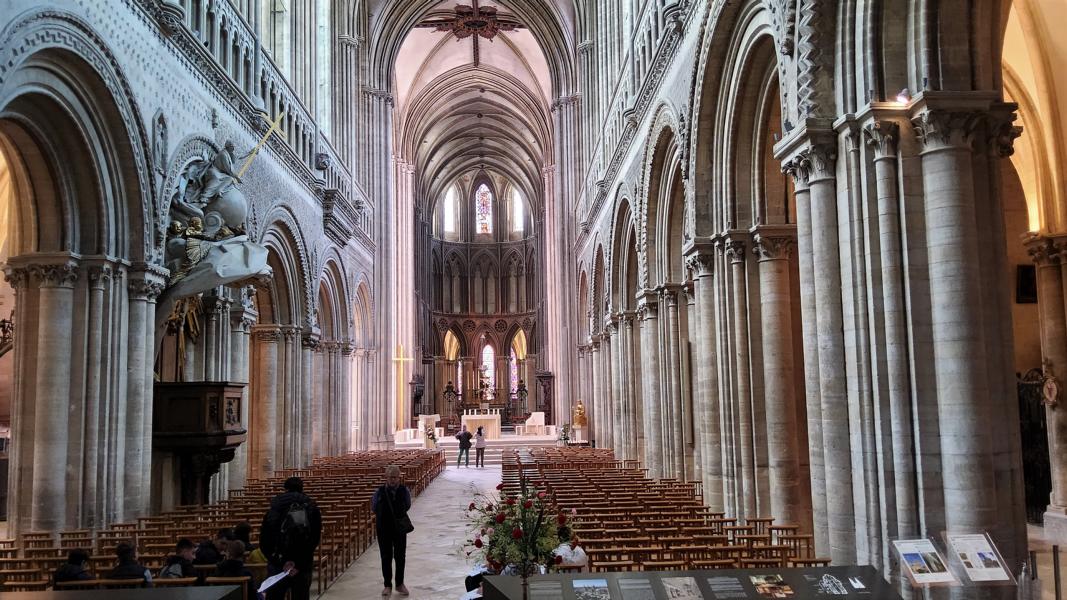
x=291 y=533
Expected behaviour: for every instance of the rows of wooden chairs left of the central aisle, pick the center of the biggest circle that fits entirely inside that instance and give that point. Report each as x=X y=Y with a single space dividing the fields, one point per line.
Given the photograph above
x=342 y=487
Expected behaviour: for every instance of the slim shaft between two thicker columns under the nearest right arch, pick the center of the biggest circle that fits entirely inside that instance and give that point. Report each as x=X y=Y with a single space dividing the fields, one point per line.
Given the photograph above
x=736 y=248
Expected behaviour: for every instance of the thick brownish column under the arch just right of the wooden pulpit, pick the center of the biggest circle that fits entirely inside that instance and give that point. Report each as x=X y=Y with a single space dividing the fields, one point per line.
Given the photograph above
x=265 y=412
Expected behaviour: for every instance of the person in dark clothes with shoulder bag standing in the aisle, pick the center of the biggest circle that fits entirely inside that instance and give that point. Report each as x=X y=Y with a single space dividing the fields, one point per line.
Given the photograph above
x=391 y=504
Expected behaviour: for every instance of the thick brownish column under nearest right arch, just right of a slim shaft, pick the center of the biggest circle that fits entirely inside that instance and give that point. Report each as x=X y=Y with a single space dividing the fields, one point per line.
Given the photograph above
x=774 y=246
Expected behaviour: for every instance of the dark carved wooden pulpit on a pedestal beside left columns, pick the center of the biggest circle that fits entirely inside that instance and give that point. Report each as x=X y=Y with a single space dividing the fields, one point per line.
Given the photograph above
x=201 y=423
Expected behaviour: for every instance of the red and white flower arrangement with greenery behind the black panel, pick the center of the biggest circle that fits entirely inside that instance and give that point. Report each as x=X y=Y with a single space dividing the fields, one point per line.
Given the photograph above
x=516 y=530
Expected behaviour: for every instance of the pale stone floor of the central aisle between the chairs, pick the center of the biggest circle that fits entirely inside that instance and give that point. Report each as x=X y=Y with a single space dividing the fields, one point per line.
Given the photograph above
x=436 y=563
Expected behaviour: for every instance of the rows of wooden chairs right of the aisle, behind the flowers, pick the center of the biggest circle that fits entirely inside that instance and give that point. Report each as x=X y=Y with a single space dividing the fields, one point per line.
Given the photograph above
x=627 y=522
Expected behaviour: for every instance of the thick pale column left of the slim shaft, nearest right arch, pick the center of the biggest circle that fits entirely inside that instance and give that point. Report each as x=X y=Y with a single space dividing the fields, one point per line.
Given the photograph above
x=702 y=262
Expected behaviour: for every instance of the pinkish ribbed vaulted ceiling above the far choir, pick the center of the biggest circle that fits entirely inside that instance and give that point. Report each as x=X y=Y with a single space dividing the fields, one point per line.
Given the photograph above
x=465 y=106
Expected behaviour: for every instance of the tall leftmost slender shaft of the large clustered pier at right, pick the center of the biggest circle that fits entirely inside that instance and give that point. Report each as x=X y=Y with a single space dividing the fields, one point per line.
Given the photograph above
x=800 y=169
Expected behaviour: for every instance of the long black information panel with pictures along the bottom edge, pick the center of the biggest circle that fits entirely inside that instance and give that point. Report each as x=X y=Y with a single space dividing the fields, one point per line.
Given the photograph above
x=821 y=583
